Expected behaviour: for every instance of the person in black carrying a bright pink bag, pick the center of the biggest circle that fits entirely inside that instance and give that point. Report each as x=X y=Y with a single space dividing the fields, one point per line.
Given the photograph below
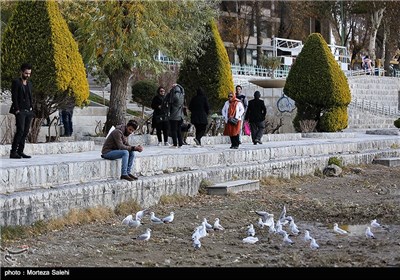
x=255 y=115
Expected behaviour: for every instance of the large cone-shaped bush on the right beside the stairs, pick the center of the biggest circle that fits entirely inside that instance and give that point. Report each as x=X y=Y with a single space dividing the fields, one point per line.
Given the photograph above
x=317 y=83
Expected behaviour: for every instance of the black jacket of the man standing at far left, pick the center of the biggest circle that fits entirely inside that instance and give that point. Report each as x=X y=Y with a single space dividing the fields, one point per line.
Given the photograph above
x=21 y=98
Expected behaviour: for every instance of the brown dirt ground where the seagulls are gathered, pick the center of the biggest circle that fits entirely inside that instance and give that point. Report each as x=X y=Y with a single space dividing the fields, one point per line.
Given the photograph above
x=362 y=194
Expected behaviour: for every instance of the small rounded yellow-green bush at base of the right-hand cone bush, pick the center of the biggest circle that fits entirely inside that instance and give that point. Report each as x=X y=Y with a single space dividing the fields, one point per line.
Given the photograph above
x=335 y=119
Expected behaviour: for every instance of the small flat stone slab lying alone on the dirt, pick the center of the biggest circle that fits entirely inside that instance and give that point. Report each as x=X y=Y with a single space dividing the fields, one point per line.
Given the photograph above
x=233 y=187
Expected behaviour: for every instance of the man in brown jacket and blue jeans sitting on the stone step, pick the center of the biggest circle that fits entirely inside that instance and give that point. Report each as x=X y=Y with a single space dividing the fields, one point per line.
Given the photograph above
x=116 y=146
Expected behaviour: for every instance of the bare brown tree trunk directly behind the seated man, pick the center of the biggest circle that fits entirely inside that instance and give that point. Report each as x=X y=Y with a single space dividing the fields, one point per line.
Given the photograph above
x=117 y=109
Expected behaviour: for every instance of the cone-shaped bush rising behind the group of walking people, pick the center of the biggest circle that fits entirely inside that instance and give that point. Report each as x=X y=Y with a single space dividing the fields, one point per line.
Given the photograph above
x=211 y=70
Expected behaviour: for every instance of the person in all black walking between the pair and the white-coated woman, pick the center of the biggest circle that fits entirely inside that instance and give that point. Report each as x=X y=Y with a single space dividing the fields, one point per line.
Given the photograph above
x=199 y=109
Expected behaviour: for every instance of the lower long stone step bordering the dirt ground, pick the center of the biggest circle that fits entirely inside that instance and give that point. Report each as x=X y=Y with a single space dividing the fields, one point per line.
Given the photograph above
x=26 y=207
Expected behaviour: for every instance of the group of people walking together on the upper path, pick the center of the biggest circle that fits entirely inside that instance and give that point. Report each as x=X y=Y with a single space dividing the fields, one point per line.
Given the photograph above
x=169 y=114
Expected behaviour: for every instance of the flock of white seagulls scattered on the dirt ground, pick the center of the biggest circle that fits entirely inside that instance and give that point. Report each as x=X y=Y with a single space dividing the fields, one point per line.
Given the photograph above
x=265 y=220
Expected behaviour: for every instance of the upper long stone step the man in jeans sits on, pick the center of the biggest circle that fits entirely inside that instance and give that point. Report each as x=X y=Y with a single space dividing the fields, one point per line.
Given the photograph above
x=47 y=171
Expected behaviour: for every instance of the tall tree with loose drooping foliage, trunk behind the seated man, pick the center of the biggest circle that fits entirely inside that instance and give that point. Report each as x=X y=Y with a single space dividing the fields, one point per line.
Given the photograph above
x=121 y=35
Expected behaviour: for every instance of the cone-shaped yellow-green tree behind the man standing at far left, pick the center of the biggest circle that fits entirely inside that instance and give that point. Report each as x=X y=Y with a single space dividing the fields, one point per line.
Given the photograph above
x=37 y=33
